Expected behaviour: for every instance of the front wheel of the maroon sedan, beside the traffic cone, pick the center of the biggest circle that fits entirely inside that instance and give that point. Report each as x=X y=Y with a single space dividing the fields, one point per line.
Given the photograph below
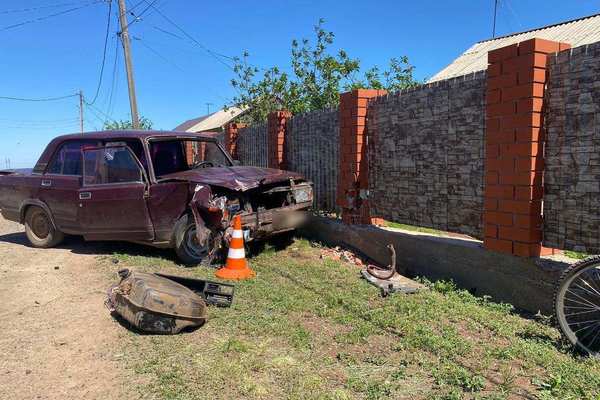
x=189 y=249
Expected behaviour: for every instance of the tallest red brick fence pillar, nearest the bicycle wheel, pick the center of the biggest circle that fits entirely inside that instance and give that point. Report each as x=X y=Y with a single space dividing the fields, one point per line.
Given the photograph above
x=514 y=159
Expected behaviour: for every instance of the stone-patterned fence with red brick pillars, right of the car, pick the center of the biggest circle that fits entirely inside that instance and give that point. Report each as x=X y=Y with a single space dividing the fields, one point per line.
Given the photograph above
x=480 y=154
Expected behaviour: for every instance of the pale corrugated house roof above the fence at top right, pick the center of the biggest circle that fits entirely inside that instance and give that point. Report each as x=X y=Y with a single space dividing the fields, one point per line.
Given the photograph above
x=577 y=32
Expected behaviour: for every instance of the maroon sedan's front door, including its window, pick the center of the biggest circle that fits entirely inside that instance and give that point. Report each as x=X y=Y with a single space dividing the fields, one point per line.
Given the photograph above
x=112 y=200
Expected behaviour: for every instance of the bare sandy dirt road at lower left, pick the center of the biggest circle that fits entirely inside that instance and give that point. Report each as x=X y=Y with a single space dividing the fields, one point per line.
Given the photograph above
x=58 y=341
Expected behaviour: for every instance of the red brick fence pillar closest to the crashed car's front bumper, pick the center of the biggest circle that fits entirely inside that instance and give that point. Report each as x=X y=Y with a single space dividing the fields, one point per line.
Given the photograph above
x=353 y=177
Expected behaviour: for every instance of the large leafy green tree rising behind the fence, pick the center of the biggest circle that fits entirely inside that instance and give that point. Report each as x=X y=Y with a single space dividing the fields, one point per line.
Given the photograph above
x=317 y=76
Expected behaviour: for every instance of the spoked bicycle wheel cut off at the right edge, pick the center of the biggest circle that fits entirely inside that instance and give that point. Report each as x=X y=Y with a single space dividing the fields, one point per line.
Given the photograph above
x=577 y=305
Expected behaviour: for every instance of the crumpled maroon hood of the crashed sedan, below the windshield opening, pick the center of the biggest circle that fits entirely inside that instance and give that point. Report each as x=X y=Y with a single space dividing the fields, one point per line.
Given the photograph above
x=235 y=178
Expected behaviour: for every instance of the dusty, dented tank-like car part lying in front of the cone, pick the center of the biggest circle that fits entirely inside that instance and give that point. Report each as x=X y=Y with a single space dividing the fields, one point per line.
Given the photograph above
x=155 y=304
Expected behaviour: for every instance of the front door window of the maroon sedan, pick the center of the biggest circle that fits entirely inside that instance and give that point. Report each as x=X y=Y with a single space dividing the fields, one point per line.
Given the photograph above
x=110 y=165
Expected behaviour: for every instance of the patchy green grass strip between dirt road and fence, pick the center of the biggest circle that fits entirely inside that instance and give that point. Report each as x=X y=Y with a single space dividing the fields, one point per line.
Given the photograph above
x=309 y=328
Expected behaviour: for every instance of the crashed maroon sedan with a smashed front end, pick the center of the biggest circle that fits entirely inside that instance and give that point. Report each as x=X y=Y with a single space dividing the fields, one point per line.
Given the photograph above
x=166 y=189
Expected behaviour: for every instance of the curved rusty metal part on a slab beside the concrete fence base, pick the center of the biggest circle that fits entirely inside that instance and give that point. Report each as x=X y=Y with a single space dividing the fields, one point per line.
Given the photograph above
x=388 y=279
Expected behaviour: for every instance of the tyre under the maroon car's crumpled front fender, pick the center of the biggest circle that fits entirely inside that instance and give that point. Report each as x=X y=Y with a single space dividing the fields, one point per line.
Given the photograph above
x=186 y=246
